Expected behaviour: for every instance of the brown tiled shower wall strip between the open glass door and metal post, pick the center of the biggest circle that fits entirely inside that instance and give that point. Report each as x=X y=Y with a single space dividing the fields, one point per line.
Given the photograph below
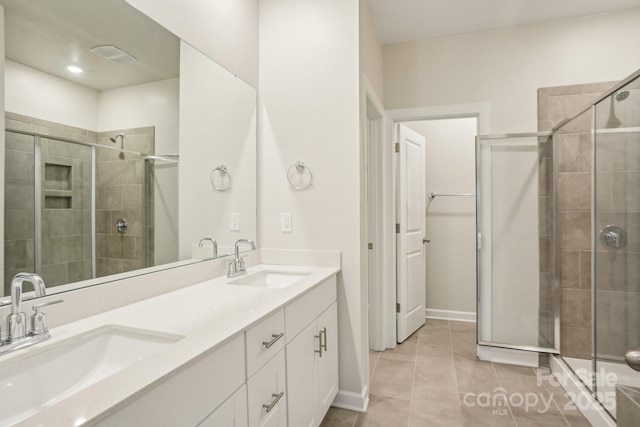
x=568 y=165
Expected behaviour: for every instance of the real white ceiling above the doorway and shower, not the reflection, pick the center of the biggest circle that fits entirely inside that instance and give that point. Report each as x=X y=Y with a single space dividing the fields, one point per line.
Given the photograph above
x=405 y=20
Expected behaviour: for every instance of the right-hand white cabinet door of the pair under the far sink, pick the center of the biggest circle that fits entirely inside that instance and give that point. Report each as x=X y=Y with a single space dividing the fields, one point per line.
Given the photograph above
x=328 y=362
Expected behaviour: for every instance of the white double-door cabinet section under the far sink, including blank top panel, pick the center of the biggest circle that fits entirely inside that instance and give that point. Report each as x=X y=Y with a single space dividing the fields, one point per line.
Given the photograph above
x=312 y=356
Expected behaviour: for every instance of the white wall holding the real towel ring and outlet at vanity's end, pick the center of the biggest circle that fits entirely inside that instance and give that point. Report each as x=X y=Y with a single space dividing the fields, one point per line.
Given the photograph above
x=309 y=111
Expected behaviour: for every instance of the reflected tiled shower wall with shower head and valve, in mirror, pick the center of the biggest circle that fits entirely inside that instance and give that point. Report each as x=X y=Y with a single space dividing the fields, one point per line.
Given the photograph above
x=124 y=190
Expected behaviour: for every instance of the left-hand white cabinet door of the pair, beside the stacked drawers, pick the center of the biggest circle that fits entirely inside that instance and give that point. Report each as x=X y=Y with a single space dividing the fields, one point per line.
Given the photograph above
x=302 y=378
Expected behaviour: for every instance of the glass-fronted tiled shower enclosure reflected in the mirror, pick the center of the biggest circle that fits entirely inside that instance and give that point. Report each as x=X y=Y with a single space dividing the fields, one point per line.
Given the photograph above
x=77 y=206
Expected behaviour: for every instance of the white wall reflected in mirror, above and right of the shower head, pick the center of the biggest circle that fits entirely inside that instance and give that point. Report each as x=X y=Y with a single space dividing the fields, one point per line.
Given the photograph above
x=152 y=104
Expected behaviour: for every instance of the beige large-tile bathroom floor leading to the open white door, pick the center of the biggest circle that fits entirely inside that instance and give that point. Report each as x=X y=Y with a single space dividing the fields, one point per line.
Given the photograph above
x=434 y=379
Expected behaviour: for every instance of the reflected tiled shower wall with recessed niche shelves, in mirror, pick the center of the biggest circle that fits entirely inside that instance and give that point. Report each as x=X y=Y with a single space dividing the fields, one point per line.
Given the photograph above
x=66 y=245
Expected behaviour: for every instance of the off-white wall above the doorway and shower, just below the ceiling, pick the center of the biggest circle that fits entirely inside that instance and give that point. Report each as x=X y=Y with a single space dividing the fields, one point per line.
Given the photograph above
x=506 y=67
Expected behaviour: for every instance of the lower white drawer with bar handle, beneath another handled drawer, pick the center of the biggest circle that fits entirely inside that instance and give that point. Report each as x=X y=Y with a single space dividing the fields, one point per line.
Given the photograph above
x=266 y=390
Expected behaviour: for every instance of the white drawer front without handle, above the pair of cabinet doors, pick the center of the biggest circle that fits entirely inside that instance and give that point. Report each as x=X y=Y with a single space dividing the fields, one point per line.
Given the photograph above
x=305 y=309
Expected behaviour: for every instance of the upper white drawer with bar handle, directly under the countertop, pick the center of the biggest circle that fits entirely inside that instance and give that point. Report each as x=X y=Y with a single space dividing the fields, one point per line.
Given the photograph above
x=264 y=341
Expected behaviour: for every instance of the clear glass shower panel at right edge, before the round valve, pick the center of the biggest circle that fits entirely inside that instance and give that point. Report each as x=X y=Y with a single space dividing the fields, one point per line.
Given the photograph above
x=616 y=241
